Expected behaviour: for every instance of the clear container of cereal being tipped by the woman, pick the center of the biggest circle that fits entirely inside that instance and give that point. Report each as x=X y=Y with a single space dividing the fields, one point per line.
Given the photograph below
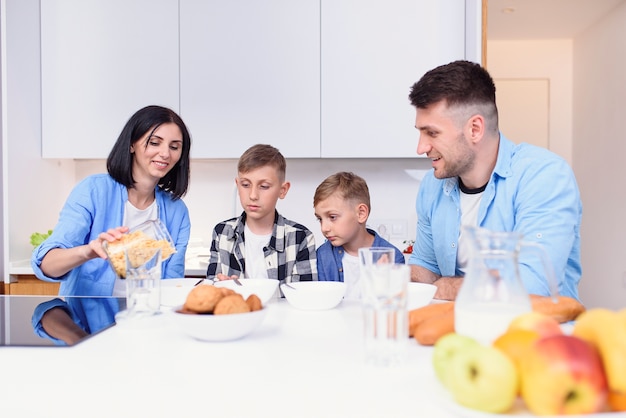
x=139 y=243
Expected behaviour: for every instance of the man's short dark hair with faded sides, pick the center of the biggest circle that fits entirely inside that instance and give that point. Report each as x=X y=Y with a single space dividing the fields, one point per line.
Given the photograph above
x=459 y=83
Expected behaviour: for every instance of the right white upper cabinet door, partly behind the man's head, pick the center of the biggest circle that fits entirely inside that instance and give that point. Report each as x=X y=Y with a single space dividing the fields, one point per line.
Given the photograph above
x=372 y=53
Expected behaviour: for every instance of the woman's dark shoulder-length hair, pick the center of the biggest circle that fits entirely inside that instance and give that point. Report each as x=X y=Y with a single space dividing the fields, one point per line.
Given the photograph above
x=120 y=160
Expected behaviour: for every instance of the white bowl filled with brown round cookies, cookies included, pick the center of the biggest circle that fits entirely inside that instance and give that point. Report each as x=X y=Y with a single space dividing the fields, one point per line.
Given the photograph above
x=216 y=314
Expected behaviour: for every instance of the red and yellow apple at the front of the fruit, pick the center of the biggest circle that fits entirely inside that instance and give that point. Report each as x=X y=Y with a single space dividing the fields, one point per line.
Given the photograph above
x=563 y=374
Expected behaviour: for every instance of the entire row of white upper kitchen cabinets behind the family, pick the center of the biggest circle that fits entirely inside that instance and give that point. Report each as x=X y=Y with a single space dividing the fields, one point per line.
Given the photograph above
x=315 y=78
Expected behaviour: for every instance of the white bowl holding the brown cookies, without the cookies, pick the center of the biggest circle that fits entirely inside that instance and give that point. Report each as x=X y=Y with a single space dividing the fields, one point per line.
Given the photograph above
x=209 y=327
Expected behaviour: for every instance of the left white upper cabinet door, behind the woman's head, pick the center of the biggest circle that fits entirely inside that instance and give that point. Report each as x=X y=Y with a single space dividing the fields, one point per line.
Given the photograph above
x=101 y=61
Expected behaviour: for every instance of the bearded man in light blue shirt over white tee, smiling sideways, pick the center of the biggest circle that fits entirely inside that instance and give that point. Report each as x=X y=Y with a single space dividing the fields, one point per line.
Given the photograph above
x=480 y=178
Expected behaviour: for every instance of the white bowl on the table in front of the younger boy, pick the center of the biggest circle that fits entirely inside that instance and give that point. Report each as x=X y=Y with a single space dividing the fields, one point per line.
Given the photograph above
x=314 y=295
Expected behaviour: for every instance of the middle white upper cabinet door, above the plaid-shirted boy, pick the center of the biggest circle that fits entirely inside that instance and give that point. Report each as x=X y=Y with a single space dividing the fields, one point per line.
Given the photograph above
x=250 y=73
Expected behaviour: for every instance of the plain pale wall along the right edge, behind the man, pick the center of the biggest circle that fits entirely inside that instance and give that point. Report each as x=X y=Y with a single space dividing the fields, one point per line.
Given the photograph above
x=599 y=147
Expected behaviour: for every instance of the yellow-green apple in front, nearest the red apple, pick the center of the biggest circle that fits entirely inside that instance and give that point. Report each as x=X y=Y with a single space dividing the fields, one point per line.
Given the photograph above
x=483 y=378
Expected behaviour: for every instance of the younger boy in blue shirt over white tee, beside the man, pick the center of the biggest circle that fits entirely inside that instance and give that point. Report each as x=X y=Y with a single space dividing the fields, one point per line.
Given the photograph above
x=342 y=206
